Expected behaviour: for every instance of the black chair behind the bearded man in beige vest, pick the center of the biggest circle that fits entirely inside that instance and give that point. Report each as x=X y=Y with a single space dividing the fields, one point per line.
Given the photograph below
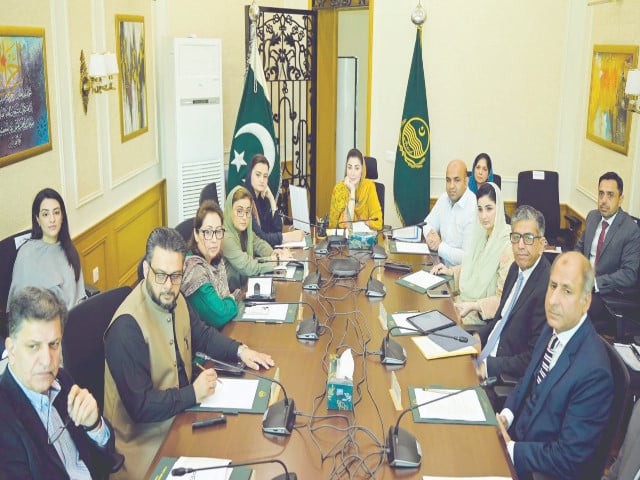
x=83 y=346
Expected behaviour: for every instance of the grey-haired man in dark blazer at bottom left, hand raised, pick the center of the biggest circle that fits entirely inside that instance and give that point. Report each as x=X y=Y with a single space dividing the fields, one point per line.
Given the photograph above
x=49 y=427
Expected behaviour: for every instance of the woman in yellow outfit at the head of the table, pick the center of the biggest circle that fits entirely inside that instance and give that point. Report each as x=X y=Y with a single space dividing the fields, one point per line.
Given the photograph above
x=355 y=198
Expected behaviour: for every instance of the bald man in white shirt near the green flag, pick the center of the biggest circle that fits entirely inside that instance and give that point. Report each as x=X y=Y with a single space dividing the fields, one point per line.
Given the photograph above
x=448 y=226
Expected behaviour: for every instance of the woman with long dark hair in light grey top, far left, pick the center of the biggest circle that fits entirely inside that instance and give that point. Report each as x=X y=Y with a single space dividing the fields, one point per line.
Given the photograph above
x=49 y=259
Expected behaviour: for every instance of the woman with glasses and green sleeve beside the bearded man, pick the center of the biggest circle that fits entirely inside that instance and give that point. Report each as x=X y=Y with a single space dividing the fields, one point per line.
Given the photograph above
x=204 y=283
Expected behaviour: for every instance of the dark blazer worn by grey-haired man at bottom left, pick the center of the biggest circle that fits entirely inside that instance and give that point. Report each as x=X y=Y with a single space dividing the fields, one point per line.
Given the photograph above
x=24 y=451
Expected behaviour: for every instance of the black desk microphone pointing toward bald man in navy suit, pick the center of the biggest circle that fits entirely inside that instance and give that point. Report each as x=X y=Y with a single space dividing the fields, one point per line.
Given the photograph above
x=403 y=450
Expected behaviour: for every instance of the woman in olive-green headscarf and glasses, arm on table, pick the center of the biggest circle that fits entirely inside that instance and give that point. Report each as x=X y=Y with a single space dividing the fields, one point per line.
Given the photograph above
x=243 y=248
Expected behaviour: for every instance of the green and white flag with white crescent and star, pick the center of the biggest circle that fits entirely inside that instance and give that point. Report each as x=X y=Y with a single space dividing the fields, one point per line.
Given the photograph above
x=254 y=132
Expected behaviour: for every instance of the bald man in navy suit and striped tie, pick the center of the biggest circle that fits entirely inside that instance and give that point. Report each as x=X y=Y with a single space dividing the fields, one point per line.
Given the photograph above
x=559 y=409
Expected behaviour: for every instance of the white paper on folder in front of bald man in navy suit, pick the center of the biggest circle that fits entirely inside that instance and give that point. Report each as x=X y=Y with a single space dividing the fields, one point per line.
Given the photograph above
x=465 y=406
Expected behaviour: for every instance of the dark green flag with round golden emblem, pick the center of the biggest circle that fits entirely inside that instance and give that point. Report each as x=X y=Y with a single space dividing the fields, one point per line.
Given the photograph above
x=412 y=168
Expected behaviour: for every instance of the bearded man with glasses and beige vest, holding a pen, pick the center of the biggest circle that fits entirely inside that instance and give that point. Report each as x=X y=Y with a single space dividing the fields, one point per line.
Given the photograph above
x=149 y=348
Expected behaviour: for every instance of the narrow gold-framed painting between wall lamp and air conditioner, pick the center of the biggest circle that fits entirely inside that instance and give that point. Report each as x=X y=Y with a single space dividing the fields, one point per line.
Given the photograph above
x=132 y=86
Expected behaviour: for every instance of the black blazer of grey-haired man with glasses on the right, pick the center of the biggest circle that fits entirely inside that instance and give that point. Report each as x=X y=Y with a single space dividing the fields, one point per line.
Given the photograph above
x=523 y=328
